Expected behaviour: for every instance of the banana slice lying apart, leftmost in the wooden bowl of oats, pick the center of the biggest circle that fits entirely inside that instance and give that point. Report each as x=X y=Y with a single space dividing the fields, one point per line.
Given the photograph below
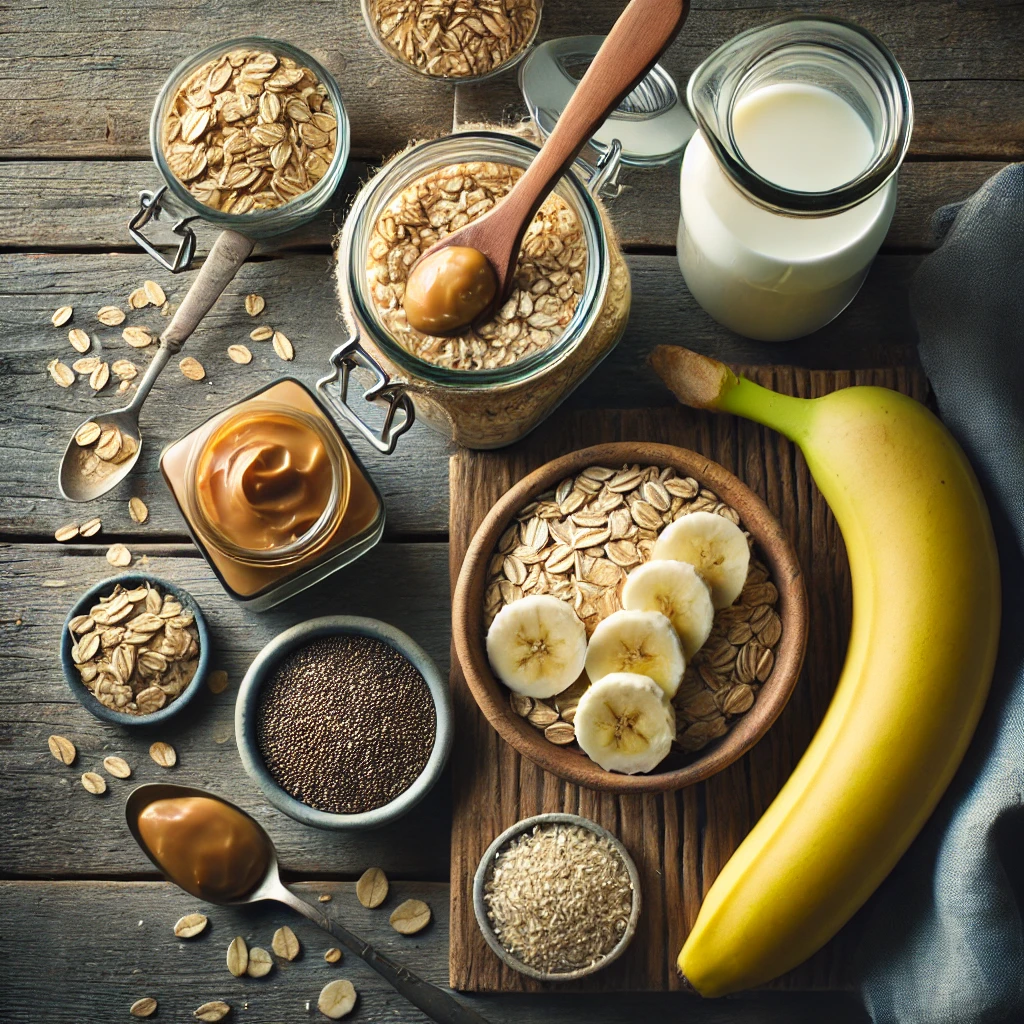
x=537 y=646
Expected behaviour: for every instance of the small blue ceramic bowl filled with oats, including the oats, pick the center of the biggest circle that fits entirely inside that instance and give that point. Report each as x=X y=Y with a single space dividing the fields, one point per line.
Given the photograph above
x=136 y=650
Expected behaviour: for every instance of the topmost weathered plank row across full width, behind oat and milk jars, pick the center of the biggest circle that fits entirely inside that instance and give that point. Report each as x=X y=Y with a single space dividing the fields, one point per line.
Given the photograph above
x=80 y=79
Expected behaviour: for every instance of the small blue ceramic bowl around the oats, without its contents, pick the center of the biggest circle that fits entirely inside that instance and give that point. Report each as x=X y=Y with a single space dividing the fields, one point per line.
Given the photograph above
x=131 y=581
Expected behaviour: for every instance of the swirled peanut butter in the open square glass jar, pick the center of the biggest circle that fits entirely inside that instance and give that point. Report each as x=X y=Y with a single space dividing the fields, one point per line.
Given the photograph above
x=265 y=479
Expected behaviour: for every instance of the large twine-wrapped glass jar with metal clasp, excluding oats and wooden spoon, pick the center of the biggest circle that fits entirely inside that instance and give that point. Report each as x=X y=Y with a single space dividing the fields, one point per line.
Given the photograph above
x=481 y=409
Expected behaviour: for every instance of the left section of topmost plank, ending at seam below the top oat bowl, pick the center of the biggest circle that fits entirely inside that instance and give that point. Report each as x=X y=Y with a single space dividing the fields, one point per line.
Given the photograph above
x=80 y=79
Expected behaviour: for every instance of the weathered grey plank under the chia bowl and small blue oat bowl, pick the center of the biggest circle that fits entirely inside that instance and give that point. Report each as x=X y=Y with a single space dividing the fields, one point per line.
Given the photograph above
x=54 y=828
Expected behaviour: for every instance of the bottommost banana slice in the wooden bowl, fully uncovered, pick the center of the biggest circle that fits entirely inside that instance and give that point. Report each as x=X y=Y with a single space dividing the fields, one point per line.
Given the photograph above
x=626 y=723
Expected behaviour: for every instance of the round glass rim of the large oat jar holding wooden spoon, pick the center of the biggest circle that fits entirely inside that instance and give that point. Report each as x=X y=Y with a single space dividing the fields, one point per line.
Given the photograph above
x=405 y=167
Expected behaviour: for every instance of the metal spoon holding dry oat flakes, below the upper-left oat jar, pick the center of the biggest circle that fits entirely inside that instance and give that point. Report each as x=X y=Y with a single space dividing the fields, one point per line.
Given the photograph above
x=229 y=253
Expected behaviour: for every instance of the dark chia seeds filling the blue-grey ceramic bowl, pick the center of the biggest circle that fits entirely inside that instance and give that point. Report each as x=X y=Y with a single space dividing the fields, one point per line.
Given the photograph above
x=347 y=724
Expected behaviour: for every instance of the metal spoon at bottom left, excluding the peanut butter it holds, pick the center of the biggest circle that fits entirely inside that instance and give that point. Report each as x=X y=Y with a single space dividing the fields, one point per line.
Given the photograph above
x=436 y=1003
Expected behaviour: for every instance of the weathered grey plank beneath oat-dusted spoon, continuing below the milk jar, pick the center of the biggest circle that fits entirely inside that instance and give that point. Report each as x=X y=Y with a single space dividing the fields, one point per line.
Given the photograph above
x=39 y=417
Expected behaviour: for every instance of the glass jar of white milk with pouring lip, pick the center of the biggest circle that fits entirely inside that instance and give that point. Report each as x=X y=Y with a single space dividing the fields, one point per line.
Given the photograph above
x=789 y=188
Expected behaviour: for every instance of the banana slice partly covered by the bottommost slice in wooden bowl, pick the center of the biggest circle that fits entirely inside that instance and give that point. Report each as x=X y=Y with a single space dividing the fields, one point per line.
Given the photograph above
x=643 y=643
